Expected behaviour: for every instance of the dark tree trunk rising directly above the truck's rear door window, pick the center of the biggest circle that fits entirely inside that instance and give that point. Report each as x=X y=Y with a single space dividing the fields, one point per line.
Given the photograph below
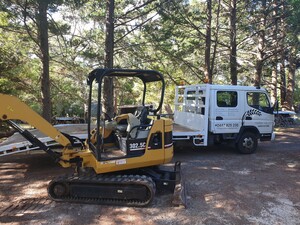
x=233 y=46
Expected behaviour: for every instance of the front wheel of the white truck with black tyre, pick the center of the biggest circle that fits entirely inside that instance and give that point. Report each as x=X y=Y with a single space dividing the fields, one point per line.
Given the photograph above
x=247 y=144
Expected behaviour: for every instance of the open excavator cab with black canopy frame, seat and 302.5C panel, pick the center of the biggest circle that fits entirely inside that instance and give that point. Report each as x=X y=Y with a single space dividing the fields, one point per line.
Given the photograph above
x=139 y=134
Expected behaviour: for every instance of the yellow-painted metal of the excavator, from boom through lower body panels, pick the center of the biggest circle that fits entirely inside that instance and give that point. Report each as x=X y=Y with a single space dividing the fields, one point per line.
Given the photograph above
x=18 y=110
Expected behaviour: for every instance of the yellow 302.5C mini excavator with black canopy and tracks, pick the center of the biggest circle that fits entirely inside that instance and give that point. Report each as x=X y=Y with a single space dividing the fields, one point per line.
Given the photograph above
x=120 y=161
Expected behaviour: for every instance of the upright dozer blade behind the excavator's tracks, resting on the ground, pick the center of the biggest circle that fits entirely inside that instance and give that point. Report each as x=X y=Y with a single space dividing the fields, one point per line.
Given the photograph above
x=179 y=195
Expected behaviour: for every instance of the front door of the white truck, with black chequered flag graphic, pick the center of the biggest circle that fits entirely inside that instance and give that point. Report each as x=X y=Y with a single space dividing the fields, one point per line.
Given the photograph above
x=259 y=112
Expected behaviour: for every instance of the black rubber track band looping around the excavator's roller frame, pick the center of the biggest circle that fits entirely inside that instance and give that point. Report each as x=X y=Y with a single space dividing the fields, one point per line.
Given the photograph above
x=105 y=179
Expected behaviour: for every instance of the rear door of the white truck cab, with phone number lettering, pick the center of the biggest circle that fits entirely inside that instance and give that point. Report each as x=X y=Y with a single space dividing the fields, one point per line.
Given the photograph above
x=227 y=111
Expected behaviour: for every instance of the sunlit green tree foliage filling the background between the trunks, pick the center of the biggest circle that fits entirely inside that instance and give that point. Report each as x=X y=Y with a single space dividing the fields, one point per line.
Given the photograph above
x=168 y=36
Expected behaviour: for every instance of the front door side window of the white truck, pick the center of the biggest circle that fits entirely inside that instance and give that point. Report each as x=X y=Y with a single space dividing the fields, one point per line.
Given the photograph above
x=258 y=100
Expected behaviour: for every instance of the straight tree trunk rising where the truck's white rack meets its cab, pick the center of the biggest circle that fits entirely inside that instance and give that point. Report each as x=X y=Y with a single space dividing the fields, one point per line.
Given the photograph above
x=207 y=70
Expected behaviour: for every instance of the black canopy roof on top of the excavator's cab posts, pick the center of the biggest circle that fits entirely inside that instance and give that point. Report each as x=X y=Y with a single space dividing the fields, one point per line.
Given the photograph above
x=145 y=75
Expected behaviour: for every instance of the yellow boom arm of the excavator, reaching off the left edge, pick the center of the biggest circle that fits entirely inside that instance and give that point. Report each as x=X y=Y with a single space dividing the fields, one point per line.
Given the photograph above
x=13 y=109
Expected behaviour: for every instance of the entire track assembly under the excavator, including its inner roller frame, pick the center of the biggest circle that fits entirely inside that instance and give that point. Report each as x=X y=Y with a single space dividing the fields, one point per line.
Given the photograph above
x=123 y=190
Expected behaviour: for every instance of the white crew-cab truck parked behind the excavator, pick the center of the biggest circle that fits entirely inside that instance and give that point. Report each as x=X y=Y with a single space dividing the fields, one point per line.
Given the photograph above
x=210 y=114
